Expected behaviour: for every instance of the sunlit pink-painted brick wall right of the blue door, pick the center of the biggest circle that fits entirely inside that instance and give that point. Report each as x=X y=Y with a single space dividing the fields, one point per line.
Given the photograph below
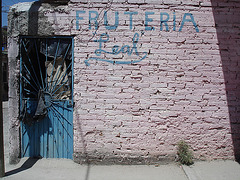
x=142 y=110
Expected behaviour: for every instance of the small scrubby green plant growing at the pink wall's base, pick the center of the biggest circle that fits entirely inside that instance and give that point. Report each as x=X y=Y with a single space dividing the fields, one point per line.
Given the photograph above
x=184 y=154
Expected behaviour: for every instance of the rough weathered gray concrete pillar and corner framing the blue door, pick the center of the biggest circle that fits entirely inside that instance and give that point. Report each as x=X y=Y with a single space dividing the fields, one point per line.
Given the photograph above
x=23 y=19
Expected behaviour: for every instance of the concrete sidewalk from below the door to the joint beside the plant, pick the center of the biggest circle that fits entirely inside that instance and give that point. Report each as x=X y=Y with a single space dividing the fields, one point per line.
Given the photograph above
x=62 y=169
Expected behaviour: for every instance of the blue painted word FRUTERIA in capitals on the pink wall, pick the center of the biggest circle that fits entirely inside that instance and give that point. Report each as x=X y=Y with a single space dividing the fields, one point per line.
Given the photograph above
x=93 y=18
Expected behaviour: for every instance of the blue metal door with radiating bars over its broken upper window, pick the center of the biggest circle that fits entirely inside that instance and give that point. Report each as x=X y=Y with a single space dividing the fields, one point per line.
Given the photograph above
x=46 y=97
